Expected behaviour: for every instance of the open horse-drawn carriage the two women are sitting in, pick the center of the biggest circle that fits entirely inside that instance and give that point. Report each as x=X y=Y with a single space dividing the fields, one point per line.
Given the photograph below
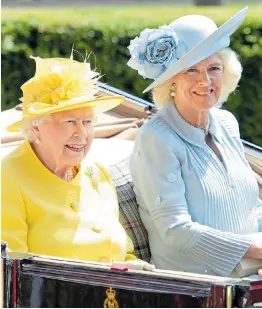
x=42 y=281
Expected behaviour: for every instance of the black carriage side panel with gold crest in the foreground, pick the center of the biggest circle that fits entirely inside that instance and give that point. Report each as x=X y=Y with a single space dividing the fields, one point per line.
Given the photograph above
x=34 y=281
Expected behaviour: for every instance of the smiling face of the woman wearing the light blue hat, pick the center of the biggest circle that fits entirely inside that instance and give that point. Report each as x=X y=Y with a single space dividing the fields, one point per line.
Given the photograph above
x=199 y=86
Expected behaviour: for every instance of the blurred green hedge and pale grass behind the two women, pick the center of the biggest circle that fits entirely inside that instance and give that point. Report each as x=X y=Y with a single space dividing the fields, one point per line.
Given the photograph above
x=105 y=34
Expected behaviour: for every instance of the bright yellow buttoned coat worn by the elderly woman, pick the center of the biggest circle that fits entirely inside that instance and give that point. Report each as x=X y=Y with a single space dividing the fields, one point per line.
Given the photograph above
x=43 y=214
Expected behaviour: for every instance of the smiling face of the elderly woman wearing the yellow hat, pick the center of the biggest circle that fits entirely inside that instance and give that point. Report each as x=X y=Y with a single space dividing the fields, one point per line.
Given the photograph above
x=65 y=137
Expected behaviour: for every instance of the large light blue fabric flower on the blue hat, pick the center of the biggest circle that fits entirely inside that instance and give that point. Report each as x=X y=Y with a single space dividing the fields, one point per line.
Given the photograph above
x=153 y=51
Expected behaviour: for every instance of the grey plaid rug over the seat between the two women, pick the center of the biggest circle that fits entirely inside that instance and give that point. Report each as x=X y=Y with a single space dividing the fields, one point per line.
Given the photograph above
x=128 y=209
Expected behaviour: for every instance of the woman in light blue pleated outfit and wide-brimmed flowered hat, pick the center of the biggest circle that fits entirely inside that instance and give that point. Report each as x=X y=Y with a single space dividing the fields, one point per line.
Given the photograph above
x=197 y=195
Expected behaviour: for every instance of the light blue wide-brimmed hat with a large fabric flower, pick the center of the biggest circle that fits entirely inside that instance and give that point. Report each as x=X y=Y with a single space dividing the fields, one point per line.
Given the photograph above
x=162 y=53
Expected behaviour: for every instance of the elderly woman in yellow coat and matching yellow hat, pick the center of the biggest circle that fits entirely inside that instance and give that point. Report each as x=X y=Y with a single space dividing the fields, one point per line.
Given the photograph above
x=53 y=202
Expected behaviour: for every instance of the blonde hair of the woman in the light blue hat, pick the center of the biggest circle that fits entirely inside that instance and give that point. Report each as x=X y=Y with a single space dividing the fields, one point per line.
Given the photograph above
x=231 y=76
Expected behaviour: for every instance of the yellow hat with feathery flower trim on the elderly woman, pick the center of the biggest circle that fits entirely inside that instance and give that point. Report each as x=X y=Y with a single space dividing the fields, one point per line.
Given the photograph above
x=61 y=84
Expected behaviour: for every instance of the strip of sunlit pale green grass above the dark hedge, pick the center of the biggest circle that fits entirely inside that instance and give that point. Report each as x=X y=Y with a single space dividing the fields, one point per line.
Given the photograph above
x=120 y=15
